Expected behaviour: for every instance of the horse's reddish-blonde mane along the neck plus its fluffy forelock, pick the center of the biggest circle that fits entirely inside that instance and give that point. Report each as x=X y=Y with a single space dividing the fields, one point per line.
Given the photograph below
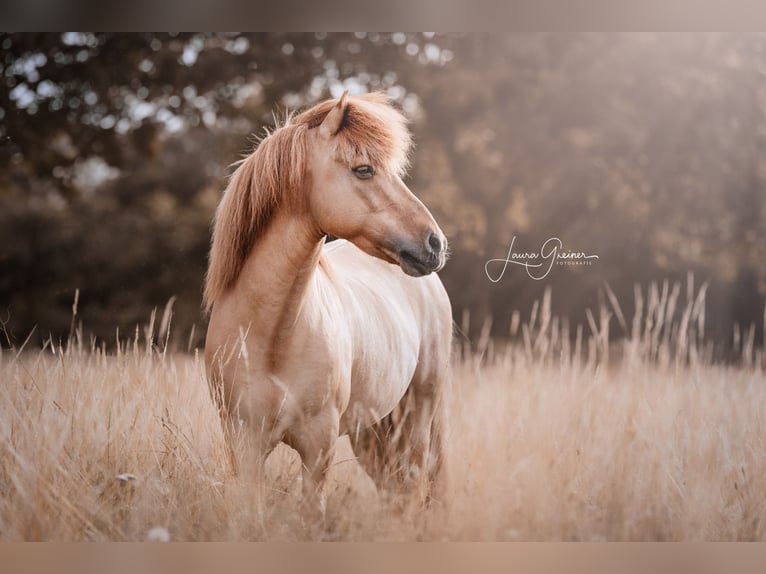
x=372 y=131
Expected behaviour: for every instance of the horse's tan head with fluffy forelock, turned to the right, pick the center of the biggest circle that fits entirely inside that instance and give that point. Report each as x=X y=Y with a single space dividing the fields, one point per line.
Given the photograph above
x=356 y=157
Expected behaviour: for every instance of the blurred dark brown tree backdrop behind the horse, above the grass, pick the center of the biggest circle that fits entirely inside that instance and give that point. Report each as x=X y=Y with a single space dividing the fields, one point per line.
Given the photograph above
x=647 y=150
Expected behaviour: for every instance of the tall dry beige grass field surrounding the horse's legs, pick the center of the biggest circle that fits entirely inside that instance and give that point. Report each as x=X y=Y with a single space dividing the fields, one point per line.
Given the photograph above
x=641 y=439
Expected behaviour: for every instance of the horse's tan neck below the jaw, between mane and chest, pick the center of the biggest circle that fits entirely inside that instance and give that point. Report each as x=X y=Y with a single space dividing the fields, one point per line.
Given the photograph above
x=276 y=277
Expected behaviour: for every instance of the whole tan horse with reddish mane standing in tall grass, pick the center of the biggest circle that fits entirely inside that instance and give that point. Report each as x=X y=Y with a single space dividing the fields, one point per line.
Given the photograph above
x=309 y=341
